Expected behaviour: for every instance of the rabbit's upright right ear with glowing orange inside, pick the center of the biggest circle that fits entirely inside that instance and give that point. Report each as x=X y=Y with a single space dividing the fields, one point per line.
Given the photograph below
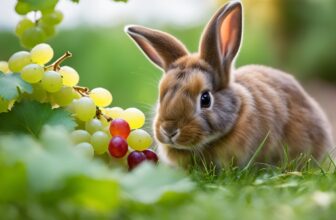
x=221 y=40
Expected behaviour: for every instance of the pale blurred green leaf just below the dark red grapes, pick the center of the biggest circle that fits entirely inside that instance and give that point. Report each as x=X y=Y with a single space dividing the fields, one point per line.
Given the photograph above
x=150 y=184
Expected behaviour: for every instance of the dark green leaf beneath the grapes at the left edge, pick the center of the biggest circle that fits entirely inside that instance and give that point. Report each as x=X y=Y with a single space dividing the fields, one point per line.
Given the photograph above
x=29 y=117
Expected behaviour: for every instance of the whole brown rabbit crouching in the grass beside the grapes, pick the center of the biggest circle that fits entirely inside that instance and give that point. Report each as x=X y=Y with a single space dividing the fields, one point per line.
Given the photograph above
x=208 y=108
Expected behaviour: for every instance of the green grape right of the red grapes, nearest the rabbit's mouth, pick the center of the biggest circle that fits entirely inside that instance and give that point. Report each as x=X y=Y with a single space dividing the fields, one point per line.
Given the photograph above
x=139 y=140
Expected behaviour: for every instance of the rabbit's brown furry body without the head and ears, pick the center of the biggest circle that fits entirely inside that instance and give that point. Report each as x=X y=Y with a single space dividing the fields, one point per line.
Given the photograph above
x=270 y=105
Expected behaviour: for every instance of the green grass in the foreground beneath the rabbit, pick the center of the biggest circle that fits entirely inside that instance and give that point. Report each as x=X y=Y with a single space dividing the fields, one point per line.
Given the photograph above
x=287 y=191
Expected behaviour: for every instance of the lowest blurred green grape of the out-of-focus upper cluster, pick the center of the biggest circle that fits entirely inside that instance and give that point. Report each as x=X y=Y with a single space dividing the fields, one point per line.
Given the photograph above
x=33 y=36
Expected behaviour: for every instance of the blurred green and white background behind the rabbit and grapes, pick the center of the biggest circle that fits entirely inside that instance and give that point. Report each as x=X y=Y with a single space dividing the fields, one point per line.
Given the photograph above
x=296 y=36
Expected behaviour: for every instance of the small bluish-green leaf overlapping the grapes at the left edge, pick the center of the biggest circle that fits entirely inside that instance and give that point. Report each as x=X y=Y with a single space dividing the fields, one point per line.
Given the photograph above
x=11 y=85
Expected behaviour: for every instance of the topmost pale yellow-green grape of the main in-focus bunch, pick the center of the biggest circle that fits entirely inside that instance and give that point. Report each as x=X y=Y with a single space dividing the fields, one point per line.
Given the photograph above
x=42 y=53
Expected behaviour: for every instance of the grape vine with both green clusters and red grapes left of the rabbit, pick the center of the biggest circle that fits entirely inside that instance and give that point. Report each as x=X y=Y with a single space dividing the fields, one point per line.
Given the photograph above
x=28 y=76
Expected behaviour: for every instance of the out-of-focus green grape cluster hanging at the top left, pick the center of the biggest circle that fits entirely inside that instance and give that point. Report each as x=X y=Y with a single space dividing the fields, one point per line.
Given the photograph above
x=46 y=18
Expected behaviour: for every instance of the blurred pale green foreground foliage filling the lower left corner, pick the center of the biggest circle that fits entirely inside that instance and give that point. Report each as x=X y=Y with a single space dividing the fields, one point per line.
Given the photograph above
x=45 y=177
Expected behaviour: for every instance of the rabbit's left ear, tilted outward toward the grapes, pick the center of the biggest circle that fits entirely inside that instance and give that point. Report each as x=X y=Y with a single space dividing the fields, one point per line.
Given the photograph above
x=161 y=48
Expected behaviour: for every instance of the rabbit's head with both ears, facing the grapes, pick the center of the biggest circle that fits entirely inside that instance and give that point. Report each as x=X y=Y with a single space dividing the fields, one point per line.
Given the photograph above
x=196 y=103
